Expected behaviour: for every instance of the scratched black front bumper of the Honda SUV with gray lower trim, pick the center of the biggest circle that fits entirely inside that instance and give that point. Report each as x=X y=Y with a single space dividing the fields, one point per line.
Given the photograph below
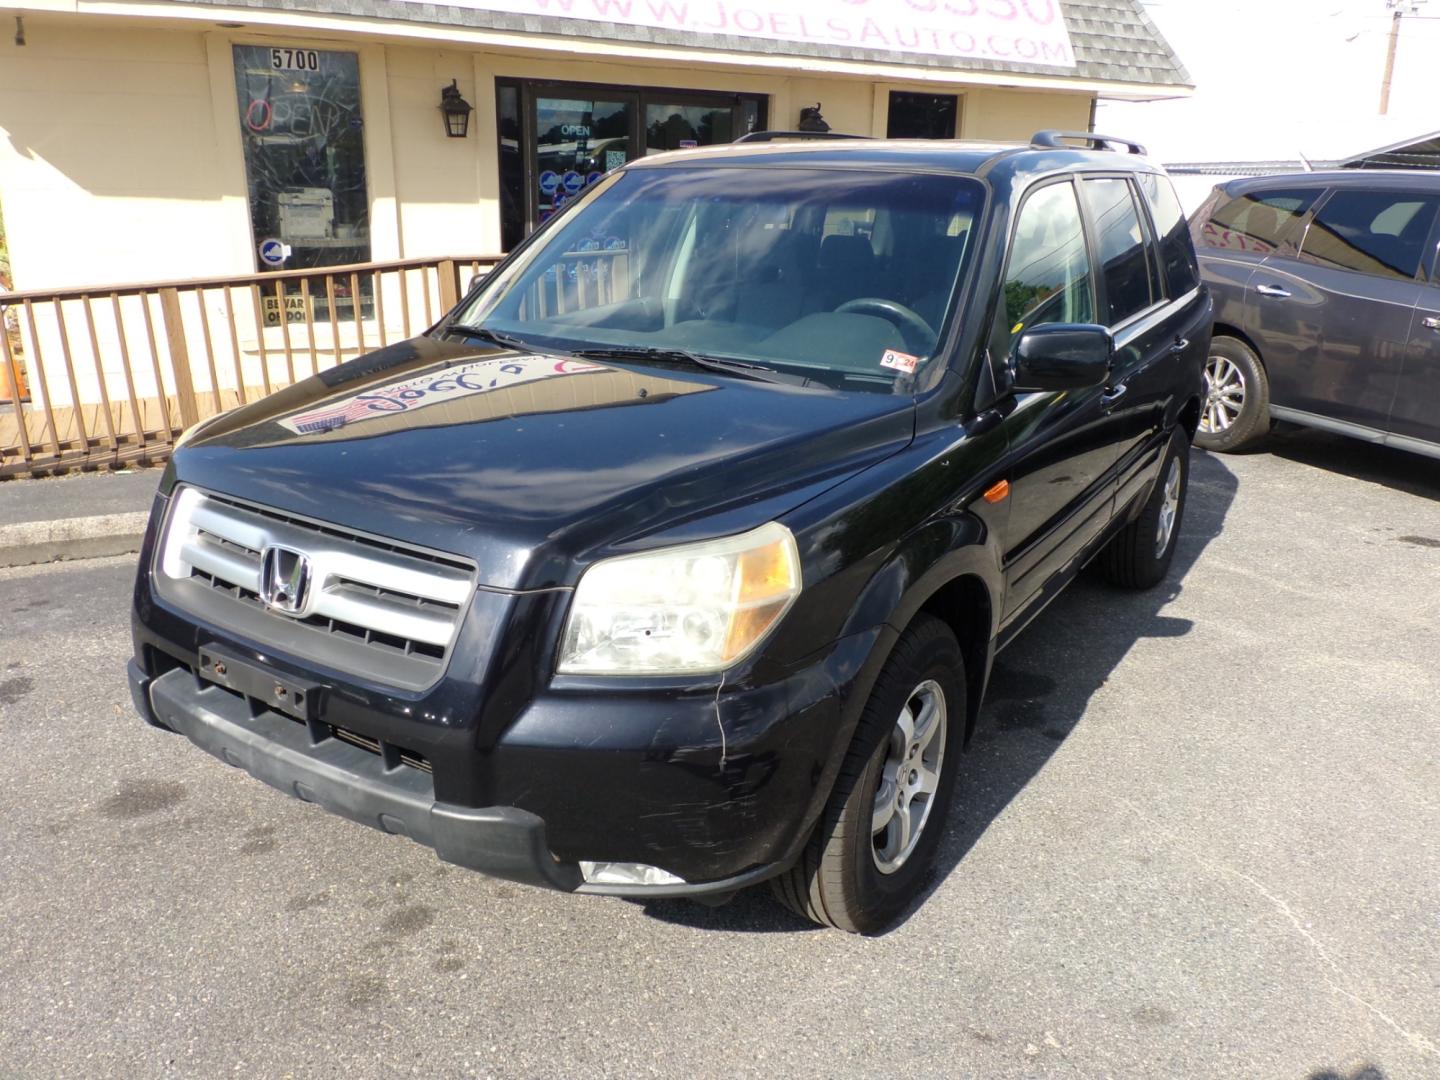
x=525 y=775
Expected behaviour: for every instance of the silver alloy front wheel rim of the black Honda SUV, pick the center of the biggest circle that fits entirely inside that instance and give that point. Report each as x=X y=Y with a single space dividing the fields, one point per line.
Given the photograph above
x=909 y=777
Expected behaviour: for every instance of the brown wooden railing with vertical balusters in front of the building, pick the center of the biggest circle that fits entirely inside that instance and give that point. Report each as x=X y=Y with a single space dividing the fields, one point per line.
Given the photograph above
x=112 y=375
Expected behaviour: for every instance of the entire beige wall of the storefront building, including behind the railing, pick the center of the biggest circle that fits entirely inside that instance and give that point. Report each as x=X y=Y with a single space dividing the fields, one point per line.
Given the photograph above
x=122 y=162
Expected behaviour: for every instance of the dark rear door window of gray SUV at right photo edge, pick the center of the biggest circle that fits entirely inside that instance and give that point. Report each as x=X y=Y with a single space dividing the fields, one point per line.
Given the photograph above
x=1382 y=234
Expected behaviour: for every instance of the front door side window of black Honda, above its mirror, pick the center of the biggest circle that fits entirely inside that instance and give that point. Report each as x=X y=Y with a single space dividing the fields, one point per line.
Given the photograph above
x=1048 y=277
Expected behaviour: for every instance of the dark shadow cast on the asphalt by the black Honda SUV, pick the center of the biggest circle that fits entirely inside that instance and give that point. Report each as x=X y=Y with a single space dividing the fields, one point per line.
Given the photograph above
x=1039 y=693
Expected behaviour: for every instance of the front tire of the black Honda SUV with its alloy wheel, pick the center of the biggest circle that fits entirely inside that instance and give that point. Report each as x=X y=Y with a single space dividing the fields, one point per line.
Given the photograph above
x=843 y=878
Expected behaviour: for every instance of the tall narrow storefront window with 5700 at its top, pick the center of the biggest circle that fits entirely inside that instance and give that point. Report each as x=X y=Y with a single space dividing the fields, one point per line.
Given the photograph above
x=305 y=156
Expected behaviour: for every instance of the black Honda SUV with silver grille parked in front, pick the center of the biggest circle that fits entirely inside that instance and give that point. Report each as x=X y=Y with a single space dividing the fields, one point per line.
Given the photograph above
x=676 y=558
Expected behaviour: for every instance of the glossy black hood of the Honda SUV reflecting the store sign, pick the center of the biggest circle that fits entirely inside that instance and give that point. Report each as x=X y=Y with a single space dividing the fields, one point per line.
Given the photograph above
x=536 y=464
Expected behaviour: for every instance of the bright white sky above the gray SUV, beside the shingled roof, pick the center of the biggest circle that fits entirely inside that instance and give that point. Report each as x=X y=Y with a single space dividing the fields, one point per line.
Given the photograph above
x=1281 y=78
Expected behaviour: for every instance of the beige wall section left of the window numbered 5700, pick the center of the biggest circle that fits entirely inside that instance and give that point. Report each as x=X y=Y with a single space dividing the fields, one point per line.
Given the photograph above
x=109 y=159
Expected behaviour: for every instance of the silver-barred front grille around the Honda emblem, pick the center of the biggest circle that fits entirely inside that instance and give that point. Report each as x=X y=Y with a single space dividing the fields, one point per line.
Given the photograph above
x=385 y=608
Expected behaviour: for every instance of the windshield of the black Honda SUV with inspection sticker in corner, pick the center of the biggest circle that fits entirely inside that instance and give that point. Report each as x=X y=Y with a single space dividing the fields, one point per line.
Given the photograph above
x=842 y=277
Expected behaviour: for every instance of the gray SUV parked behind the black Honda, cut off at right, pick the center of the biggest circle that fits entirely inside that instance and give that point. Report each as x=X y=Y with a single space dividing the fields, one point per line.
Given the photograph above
x=1327 y=307
